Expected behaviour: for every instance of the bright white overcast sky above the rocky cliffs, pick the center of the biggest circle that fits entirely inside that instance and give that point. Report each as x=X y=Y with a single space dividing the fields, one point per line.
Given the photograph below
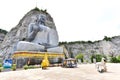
x=75 y=20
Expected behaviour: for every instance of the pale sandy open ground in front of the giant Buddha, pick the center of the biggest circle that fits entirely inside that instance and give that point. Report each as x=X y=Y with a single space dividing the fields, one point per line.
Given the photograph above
x=82 y=72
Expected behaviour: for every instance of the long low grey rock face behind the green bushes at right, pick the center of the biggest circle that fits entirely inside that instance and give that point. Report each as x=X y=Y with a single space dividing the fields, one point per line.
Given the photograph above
x=111 y=47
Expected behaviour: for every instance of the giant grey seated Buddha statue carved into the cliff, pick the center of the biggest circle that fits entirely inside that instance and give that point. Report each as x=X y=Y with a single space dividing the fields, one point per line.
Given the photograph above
x=40 y=37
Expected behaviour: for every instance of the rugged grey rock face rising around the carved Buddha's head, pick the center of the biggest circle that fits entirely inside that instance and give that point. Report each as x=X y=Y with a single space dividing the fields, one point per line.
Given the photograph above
x=19 y=33
